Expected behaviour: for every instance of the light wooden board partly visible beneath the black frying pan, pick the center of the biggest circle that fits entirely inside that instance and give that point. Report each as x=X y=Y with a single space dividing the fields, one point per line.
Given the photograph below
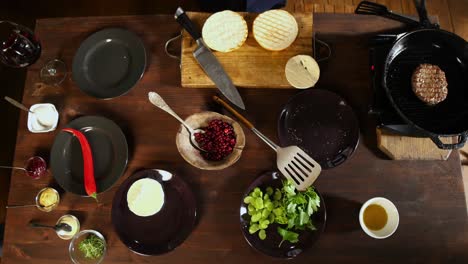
x=399 y=147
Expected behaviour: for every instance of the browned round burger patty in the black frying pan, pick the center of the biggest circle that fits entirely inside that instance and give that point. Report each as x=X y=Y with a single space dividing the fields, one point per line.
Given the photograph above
x=429 y=84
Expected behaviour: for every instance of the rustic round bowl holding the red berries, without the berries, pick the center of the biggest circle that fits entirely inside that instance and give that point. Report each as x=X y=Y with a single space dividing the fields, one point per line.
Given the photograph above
x=193 y=156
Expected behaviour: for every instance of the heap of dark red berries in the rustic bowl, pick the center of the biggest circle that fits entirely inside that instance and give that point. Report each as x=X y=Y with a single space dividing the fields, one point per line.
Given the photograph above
x=218 y=140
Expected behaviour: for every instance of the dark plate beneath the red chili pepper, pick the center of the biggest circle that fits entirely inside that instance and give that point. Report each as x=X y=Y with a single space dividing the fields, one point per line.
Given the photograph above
x=109 y=148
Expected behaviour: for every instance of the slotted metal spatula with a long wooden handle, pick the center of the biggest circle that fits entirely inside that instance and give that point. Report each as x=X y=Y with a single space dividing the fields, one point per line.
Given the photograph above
x=293 y=162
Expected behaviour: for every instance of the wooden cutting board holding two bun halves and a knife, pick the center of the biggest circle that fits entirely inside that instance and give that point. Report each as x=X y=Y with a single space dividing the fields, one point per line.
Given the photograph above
x=250 y=65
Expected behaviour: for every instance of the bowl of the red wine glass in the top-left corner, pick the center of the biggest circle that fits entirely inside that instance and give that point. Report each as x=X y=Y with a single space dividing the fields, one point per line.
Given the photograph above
x=19 y=47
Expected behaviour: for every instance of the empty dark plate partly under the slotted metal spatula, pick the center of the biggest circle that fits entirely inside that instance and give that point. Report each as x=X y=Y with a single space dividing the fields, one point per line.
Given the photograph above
x=322 y=124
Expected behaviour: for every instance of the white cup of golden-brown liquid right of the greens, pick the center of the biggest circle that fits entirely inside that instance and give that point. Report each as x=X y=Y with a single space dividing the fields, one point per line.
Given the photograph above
x=373 y=227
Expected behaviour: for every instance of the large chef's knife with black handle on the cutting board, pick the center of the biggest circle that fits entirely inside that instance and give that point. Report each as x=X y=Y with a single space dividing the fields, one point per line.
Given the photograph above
x=208 y=61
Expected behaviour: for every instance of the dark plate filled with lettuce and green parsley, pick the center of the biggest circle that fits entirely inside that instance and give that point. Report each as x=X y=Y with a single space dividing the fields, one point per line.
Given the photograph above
x=279 y=221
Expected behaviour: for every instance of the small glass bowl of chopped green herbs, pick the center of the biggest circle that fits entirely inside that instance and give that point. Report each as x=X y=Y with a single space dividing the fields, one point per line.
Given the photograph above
x=87 y=247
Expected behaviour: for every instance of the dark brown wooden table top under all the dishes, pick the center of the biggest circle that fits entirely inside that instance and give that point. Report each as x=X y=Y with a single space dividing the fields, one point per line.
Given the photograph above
x=429 y=195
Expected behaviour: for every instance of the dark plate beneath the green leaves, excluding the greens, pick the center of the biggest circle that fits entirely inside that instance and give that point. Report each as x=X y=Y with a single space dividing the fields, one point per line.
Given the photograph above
x=269 y=246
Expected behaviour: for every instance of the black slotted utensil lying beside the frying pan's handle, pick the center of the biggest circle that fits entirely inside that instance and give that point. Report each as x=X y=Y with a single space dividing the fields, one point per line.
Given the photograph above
x=370 y=8
